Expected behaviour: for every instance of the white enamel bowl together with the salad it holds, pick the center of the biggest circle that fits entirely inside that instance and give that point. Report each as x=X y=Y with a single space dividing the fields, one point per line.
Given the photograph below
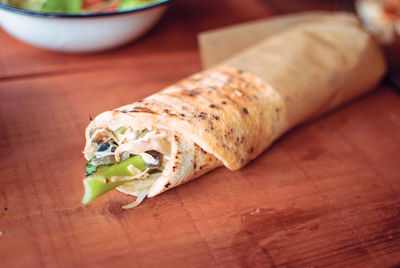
x=79 y=25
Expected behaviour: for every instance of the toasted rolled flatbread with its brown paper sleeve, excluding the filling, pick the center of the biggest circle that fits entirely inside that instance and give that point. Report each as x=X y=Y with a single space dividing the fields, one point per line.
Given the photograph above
x=229 y=114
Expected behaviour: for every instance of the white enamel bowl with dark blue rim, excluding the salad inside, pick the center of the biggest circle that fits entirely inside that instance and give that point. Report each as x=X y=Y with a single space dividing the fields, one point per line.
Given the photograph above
x=82 y=32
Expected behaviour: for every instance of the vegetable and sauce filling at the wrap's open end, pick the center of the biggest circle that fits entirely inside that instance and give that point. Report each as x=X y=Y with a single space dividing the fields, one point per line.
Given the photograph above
x=126 y=158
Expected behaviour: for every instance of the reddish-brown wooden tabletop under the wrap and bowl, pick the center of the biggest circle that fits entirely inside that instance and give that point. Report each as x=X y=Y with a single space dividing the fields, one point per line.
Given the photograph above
x=326 y=194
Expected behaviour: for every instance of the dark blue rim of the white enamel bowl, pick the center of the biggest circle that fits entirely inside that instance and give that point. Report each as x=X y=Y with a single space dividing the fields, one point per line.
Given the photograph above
x=88 y=15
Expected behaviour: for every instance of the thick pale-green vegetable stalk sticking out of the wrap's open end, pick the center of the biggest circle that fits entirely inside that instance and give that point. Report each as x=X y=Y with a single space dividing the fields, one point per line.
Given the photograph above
x=100 y=183
